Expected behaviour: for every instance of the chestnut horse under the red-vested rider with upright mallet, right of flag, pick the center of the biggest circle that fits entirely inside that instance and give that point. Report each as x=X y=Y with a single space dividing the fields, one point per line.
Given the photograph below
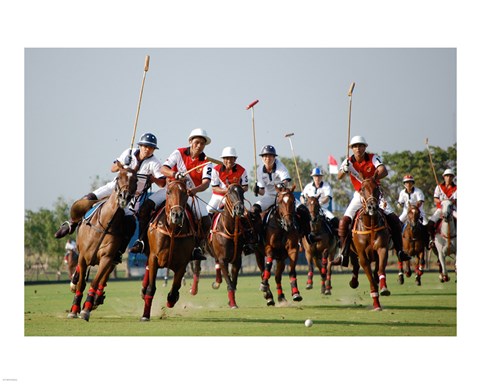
x=370 y=240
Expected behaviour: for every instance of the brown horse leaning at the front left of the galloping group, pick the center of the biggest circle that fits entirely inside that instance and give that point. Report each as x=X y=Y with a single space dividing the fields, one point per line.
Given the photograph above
x=100 y=239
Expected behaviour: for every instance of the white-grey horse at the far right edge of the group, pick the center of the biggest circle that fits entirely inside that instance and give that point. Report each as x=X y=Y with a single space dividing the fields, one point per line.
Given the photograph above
x=446 y=239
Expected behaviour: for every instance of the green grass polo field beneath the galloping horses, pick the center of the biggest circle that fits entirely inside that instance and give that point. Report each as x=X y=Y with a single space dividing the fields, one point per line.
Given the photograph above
x=428 y=310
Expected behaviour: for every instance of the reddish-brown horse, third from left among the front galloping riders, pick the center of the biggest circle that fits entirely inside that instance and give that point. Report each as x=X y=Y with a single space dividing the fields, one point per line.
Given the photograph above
x=226 y=240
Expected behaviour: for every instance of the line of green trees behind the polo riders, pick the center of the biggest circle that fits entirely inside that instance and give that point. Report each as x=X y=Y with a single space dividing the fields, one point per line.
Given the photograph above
x=41 y=225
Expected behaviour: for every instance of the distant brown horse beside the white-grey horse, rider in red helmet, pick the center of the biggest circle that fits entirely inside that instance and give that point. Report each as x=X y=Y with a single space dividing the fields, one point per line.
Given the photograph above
x=414 y=243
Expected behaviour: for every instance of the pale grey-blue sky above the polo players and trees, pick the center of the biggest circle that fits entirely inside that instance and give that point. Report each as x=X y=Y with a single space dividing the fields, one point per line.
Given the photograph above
x=80 y=105
